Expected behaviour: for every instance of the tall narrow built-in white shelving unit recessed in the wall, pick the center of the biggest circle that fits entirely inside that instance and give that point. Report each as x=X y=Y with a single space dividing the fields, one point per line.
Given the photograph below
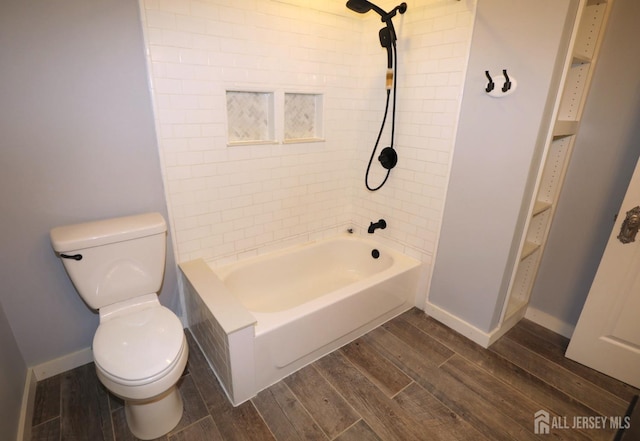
x=592 y=19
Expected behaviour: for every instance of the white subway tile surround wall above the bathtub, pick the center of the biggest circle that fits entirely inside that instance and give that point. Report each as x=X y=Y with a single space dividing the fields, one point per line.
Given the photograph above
x=229 y=202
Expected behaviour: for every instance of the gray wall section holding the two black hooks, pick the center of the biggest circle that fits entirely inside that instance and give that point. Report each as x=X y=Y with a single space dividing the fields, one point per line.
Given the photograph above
x=496 y=142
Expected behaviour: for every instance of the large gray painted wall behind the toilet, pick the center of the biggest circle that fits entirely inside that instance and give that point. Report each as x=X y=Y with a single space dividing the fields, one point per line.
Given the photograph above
x=78 y=143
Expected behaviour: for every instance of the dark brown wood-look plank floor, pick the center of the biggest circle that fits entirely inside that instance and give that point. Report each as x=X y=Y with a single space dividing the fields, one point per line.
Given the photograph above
x=410 y=379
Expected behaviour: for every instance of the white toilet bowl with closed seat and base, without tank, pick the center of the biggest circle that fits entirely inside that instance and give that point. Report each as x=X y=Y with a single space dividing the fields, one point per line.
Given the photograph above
x=140 y=353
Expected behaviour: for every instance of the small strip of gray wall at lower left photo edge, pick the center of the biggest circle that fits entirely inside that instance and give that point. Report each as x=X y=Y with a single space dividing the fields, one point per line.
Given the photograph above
x=13 y=373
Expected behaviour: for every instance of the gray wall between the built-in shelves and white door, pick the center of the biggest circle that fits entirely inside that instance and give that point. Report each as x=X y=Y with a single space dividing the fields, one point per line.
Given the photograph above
x=604 y=156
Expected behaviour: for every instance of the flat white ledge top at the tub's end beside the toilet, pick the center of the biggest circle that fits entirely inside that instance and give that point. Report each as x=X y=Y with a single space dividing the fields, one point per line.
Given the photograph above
x=233 y=316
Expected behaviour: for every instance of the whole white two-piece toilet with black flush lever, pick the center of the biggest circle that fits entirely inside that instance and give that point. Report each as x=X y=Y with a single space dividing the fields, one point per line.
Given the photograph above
x=140 y=350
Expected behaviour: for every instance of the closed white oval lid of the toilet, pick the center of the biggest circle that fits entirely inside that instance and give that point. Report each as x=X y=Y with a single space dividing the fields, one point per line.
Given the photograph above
x=138 y=345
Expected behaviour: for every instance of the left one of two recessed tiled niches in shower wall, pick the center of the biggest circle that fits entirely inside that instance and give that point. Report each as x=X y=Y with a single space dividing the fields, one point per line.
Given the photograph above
x=250 y=117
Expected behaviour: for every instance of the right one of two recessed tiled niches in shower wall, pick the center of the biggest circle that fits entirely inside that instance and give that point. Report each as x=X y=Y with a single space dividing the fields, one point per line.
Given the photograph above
x=302 y=117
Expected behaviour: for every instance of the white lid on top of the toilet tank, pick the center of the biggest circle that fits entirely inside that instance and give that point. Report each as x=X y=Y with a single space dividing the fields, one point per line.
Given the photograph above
x=101 y=232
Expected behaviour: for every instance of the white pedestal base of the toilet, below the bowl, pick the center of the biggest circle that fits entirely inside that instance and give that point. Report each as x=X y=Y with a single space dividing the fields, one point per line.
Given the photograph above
x=149 y=419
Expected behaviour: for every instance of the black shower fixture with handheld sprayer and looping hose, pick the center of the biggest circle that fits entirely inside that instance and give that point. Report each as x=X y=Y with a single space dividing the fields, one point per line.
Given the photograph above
x=388 y=157
